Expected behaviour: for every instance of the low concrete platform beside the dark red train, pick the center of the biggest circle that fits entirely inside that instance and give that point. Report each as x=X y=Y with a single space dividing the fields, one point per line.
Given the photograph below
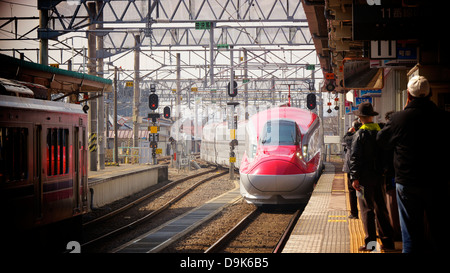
x=116 y=182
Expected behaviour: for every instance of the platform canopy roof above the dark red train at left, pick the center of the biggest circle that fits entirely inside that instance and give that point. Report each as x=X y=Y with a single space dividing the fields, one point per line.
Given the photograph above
x=55 y=79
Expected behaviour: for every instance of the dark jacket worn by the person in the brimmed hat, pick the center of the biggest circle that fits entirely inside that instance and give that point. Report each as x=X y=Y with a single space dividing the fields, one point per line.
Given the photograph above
x=366 y=157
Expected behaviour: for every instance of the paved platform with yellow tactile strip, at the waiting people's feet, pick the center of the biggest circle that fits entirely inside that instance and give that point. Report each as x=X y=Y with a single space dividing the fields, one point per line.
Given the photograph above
x=324 y=226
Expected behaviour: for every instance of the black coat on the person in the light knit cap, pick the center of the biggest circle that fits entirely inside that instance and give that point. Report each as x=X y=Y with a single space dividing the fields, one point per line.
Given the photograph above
x=419 y=137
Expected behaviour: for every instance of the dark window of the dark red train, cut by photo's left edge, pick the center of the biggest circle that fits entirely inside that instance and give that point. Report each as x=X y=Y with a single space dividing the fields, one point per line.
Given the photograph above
x=13 y=154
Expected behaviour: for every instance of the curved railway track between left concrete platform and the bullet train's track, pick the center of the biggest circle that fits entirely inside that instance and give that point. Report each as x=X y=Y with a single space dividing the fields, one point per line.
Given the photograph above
x=154 y=204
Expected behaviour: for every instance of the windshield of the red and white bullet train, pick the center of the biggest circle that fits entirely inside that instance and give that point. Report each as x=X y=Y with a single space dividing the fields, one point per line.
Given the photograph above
x=280 y=132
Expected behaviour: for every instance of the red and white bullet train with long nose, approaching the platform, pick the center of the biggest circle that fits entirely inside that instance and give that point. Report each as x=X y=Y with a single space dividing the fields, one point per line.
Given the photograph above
x=279 y=151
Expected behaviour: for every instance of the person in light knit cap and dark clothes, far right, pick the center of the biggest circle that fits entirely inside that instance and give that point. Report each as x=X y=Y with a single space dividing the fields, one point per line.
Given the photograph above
x=417 y=135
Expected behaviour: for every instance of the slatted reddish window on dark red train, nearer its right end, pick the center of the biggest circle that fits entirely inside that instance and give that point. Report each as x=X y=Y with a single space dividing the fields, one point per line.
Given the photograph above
x=57 y=151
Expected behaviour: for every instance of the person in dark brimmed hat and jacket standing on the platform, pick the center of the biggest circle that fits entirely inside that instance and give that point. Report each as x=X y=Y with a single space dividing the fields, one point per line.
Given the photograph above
x=366 y=170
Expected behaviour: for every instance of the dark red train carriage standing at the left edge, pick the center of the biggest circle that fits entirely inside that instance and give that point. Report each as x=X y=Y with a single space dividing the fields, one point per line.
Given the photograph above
x=43 y=168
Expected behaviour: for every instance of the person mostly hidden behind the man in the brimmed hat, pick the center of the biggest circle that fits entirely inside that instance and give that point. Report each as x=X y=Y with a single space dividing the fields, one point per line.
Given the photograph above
x=347 y=143
